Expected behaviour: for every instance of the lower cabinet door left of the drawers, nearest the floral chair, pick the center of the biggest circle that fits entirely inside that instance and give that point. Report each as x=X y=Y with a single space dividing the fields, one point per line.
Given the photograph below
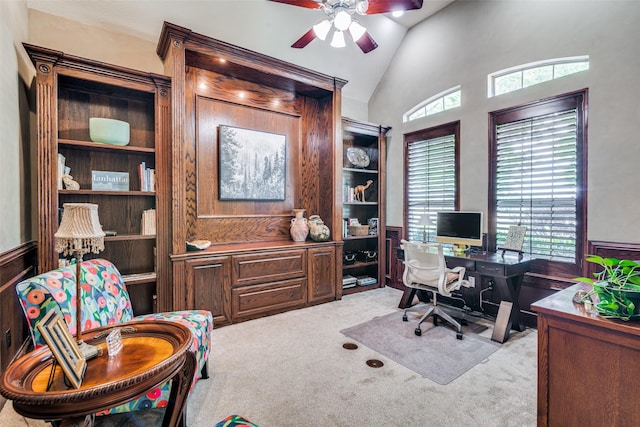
x=208 y=283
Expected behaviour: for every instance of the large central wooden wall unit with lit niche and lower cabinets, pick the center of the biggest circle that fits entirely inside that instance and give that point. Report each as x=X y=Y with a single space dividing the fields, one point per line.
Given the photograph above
x=252 y=268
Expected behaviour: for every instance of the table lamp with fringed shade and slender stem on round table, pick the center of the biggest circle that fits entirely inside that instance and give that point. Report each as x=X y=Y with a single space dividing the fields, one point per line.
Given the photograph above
x=79 y=233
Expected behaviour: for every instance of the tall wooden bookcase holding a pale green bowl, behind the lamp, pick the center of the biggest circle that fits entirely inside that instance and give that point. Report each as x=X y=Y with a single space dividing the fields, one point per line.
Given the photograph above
x=69 y=91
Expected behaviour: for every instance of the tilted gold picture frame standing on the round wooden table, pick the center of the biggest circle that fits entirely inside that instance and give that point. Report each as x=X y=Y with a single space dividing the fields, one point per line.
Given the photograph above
x=63 y=346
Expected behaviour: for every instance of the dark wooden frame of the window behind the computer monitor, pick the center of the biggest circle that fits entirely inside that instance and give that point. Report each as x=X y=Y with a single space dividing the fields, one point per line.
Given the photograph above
x=421 y=135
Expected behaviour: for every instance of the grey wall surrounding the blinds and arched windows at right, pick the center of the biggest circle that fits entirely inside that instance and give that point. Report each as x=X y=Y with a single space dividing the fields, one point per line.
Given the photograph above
x=469 y=39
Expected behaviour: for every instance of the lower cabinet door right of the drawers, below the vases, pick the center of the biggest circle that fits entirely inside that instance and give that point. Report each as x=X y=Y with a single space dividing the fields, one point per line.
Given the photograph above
x=322 y=273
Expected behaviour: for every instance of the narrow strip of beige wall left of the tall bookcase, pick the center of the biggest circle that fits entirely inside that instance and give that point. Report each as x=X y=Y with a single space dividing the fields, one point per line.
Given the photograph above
x=16 y=224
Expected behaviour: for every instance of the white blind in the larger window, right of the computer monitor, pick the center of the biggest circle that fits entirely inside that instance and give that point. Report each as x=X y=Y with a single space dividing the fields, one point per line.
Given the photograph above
x=536 y=183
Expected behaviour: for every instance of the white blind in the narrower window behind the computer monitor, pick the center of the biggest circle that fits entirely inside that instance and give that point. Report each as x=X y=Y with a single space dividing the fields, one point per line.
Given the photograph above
x=431 y=184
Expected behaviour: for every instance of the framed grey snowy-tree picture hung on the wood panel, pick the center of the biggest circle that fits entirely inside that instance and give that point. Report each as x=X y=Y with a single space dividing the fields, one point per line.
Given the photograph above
x=252 y=164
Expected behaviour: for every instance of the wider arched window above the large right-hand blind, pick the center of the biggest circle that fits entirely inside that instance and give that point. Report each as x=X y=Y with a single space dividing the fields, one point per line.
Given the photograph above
x=516 y=78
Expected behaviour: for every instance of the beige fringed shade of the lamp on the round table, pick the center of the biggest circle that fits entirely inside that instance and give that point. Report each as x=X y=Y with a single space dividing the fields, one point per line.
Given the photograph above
x=80 y=231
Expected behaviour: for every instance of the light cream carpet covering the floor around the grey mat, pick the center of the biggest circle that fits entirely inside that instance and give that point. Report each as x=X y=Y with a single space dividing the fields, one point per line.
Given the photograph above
x=290 y=370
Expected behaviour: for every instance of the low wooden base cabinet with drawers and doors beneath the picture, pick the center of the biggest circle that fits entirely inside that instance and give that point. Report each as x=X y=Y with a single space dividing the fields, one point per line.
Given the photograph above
x=242 y=282
